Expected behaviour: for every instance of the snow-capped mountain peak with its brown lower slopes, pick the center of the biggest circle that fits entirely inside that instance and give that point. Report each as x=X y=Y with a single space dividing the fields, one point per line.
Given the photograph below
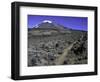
x=47 y=27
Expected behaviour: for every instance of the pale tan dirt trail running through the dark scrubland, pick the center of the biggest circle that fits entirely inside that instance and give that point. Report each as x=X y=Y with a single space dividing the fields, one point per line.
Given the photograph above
x=61 y=59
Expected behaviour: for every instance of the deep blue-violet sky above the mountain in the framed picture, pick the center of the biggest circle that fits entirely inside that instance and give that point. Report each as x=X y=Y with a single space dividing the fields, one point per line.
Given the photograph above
x=78 y=23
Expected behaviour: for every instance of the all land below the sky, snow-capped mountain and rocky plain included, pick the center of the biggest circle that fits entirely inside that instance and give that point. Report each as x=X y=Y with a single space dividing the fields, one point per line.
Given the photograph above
x=53 y=44
